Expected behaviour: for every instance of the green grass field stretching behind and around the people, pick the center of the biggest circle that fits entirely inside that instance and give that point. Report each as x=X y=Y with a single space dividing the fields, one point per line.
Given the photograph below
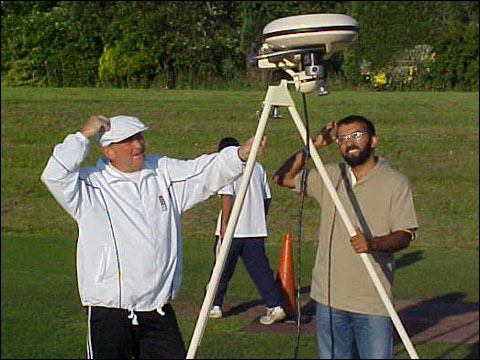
x=431 y=137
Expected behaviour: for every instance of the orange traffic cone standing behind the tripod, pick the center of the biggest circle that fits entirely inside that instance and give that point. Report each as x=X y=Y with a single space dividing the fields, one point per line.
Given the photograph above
x=285 y=279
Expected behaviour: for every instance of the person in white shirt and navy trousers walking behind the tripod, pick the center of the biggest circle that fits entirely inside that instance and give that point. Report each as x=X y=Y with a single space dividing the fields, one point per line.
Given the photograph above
x=248 y=241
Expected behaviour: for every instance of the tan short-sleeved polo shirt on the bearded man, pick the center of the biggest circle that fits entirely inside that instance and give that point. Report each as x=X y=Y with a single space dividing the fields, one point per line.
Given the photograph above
x=379 y=203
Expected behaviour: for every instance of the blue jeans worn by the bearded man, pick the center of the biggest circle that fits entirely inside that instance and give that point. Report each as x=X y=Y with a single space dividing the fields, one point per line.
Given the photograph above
x=338 y=331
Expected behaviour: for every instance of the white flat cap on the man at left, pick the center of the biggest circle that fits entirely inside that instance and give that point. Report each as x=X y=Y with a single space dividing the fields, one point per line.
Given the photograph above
x=121 y=127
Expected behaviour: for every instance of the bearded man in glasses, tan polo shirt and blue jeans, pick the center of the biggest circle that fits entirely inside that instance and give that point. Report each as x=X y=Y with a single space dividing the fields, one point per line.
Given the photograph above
x=379 y=203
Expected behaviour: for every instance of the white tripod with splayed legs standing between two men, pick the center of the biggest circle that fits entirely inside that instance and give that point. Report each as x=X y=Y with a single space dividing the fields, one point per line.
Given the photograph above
x=280 y=96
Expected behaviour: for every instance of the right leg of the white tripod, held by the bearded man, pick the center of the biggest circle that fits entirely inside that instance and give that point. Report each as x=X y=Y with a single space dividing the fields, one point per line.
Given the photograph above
x=351 y=230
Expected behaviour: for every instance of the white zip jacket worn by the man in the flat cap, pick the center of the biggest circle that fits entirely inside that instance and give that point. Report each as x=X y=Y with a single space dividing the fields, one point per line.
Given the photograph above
x=129 y=252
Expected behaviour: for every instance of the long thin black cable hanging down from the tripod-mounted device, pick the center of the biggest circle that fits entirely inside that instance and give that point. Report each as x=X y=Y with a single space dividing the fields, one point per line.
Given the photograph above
x=303 y=188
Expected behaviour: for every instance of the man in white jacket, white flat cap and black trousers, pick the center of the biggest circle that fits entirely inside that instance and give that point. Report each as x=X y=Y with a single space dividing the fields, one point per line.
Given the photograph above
x=128 y=207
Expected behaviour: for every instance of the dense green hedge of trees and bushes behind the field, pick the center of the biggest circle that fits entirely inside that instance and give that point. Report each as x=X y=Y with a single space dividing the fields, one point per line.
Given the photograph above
x=419 y=45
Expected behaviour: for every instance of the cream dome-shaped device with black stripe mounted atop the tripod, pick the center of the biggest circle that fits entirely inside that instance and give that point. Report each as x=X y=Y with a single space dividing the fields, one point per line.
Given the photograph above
x=300 y=44
